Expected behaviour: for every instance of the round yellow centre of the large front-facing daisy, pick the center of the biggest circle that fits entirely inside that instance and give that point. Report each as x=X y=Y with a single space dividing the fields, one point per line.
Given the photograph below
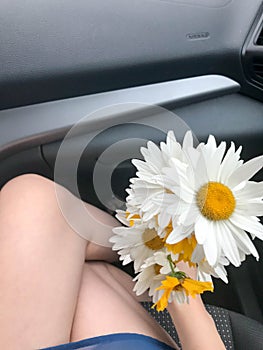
x=215 y=201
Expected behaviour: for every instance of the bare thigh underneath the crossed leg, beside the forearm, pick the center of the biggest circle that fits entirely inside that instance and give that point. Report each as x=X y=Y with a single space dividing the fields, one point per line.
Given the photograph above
x=107 y=304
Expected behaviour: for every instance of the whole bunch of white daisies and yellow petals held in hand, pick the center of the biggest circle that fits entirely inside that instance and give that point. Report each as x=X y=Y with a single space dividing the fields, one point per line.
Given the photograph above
x=190 y=204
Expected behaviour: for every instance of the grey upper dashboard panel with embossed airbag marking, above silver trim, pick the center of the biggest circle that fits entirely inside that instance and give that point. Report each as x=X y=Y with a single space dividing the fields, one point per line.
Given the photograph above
x=56 y=49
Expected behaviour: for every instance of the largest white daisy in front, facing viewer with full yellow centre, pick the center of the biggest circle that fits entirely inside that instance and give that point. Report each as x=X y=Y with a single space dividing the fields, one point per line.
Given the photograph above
x=220 y=203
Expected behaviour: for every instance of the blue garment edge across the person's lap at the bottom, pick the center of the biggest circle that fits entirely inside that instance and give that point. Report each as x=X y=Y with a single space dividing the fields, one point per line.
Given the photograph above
x=118 y=341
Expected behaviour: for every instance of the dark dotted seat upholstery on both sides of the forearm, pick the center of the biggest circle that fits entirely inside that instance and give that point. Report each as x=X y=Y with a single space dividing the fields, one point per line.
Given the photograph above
x=237 y=331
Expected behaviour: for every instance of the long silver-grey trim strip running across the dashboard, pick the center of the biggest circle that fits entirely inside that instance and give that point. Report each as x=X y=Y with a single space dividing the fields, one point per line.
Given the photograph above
x=29 y=126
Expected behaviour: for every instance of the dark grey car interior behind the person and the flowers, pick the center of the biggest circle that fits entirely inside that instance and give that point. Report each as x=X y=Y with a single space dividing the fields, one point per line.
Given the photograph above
x=106 y=76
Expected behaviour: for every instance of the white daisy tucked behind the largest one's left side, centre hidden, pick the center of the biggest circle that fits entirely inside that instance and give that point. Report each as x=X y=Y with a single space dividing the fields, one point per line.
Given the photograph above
x=152 y=191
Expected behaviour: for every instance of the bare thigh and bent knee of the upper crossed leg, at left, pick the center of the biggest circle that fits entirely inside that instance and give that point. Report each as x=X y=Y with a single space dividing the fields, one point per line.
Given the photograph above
x=41 y=262
